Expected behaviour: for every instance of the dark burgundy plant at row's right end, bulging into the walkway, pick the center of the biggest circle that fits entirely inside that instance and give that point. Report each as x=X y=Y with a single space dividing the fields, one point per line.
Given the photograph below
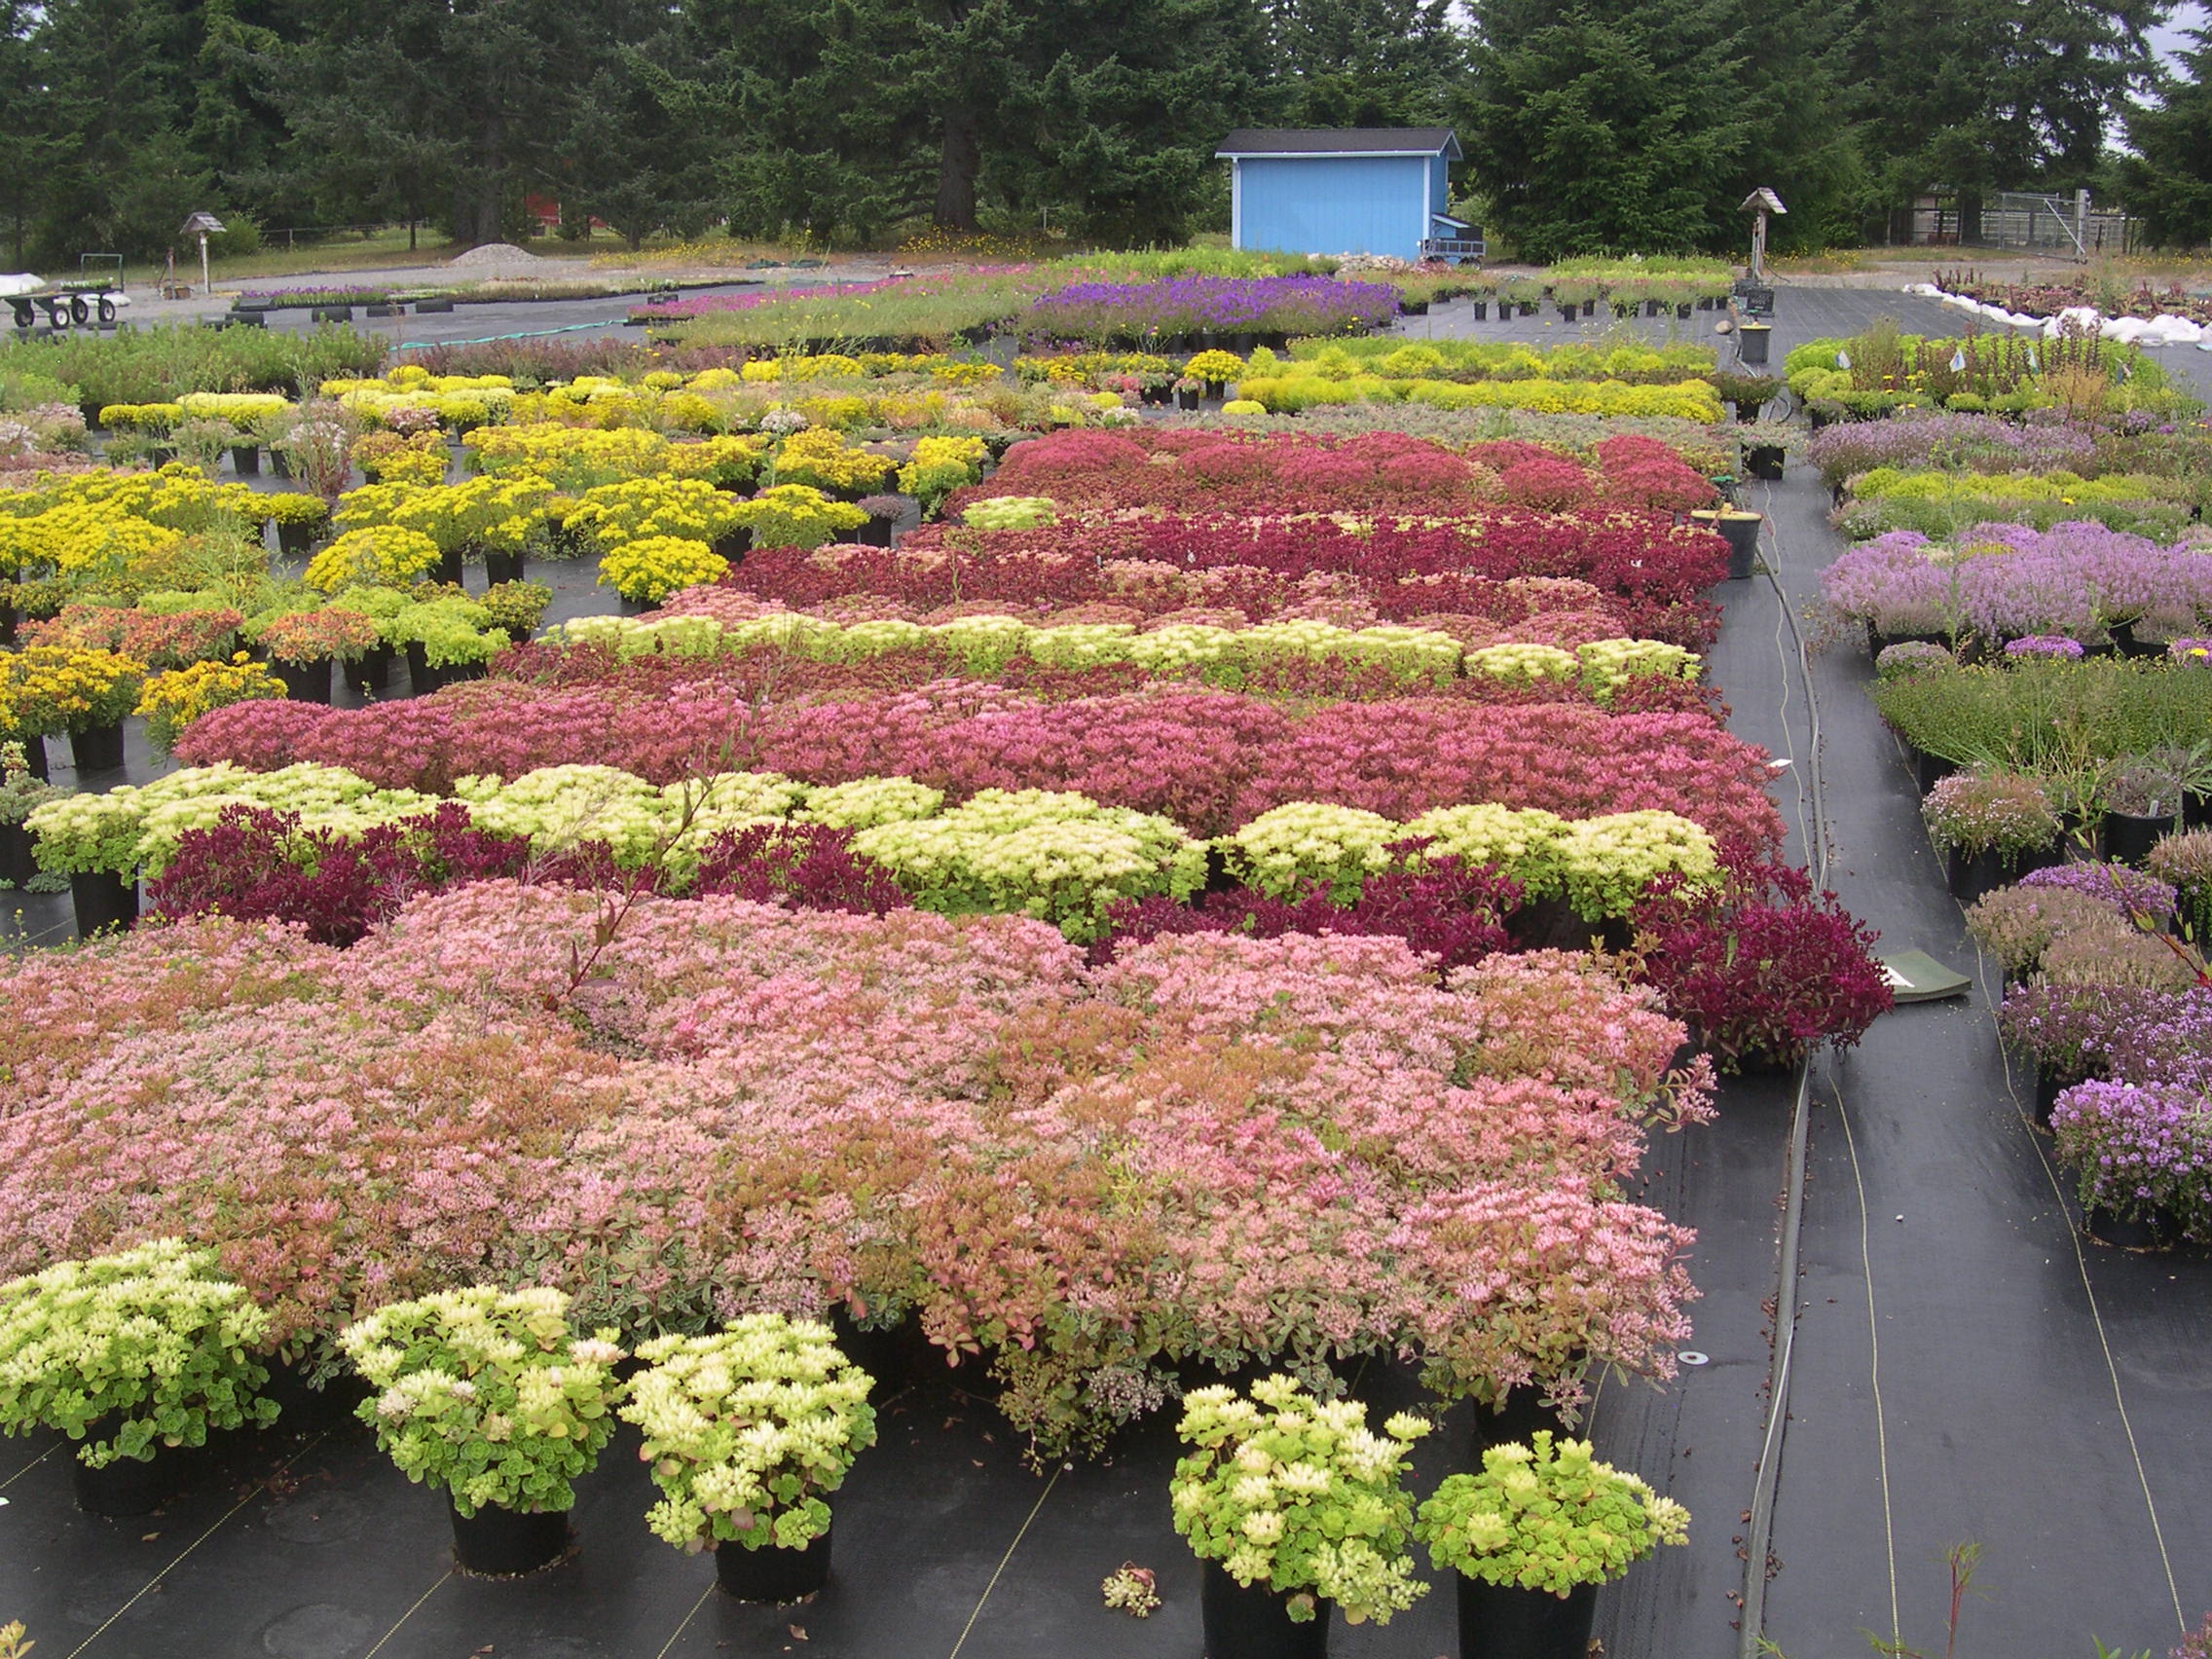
x=1760 y=968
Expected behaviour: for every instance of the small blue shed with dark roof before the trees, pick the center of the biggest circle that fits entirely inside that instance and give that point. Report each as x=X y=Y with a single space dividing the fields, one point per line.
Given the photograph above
x=1346 y=191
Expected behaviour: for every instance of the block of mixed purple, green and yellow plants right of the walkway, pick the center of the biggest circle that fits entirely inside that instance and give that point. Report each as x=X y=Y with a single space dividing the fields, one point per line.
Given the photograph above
x=2038 y=592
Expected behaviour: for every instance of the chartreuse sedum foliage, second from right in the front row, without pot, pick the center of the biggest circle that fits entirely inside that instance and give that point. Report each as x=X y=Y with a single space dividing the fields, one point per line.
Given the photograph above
x=1302 y=1496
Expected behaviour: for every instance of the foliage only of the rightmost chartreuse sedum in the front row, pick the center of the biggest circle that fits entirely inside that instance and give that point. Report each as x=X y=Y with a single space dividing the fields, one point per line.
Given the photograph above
x=1547 y=1516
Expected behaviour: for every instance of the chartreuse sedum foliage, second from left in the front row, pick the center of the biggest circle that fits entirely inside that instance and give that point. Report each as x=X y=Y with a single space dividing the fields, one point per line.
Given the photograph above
x=488 y=1395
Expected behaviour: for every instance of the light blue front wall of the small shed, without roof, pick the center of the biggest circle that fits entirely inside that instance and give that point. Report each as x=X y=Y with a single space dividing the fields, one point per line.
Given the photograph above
x=1333 y=205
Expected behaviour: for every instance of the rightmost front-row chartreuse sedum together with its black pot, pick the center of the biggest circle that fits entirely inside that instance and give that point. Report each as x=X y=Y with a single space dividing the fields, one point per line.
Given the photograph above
x=1534 y=1536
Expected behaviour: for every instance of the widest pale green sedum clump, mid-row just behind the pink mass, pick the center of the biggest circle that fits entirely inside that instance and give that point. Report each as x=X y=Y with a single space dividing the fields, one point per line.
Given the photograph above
x=1036 y=853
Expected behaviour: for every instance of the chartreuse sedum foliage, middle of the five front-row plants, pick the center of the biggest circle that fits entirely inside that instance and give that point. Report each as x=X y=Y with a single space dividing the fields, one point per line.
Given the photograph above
x=747 y=1432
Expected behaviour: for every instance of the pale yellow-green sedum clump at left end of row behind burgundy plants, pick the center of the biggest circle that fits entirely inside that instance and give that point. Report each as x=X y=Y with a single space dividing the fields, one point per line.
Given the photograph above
x=138 y=826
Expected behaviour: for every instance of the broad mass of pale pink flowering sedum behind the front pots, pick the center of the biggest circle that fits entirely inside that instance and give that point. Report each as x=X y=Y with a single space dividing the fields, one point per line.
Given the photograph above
x=1222 y=1149
